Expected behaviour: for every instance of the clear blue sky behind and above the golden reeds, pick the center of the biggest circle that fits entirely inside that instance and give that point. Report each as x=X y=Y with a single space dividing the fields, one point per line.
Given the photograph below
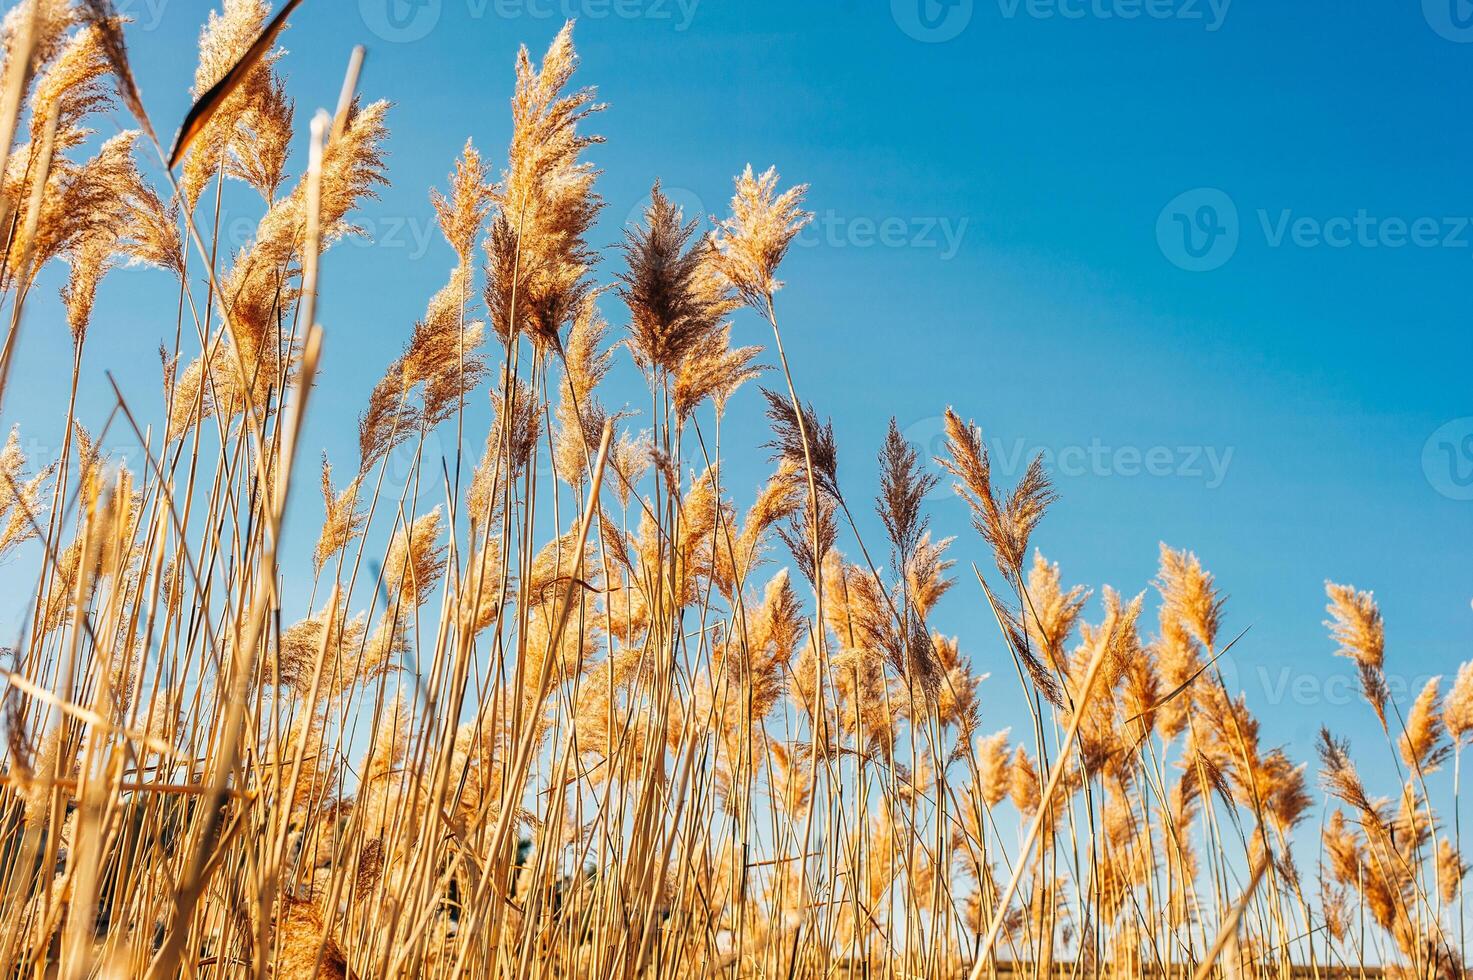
x=1050 y=148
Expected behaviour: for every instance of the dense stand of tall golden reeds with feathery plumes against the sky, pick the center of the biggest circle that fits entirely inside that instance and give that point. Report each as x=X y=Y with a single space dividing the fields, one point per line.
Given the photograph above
x=558 y=711
